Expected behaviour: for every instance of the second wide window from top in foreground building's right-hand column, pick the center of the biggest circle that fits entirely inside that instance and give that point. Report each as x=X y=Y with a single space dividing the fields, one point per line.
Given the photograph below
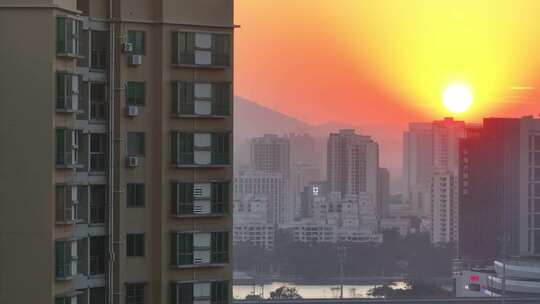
x=190 y=98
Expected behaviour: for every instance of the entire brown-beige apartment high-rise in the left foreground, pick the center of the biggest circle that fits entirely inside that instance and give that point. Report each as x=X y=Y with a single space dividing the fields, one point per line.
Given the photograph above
x=116 y=151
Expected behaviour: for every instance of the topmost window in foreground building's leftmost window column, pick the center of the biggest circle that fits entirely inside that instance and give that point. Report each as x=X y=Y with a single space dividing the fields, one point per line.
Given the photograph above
x=67 y=36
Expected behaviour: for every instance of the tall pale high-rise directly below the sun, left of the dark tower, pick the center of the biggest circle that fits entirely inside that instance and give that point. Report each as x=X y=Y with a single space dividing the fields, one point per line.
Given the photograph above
x=430 y=165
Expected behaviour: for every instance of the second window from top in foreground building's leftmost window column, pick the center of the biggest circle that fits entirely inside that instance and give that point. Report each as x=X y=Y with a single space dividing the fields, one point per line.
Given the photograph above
x=67 y=92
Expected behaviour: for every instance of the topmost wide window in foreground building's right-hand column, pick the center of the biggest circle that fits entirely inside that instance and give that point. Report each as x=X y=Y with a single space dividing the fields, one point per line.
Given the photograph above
x=201 y=48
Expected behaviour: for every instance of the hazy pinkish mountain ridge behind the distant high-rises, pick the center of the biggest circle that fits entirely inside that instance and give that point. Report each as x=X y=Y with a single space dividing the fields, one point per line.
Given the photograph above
x=252 y=119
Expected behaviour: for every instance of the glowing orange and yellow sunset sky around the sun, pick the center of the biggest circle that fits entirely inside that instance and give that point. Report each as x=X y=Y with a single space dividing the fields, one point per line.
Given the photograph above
x=387 y=61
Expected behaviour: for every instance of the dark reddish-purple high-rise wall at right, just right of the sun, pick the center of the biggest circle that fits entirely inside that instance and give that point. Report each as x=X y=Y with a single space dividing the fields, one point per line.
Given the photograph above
x=489 y=190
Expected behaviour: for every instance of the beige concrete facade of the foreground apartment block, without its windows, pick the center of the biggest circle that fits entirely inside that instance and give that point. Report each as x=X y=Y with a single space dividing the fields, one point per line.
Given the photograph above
x=30 y=175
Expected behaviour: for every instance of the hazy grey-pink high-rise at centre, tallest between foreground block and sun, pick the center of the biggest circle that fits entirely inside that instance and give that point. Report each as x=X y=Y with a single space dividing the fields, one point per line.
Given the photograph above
x=353 y=164
